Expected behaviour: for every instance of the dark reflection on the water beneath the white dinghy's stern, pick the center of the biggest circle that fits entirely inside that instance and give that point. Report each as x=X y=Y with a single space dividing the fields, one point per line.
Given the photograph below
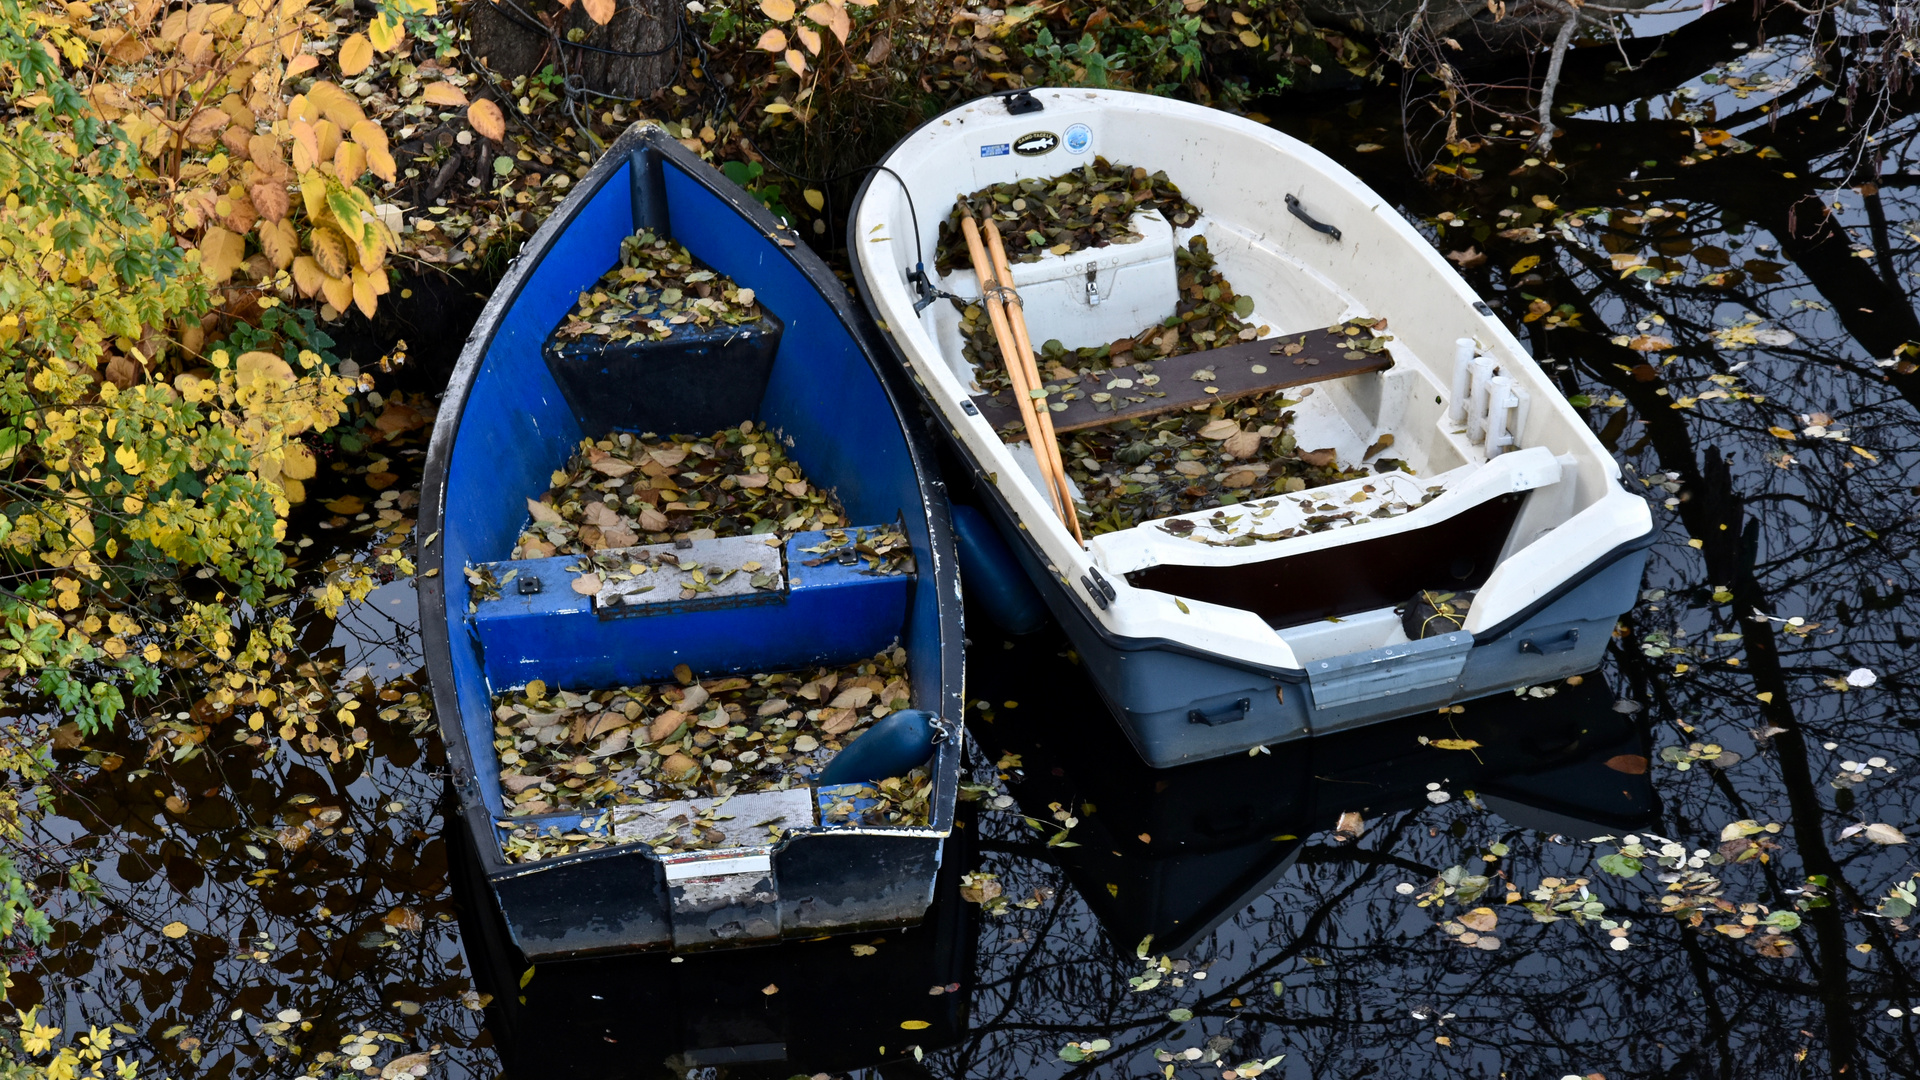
x=1176 y=852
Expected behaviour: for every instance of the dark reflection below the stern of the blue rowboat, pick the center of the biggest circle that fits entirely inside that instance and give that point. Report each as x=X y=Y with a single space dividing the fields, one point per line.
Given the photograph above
x=759 y=1014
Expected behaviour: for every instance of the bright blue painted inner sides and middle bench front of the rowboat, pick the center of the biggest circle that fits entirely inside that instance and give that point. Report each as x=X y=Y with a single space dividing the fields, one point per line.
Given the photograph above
x=825 y=399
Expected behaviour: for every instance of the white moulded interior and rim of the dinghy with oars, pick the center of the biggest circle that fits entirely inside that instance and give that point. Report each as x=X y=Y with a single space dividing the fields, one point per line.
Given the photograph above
x=1476 y=422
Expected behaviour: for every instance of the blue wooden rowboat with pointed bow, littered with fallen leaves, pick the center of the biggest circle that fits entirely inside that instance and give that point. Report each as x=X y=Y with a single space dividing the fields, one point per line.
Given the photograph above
x=763 y=864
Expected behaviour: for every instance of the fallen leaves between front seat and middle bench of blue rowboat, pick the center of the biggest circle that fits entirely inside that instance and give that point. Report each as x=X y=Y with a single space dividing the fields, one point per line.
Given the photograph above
x=627 y=489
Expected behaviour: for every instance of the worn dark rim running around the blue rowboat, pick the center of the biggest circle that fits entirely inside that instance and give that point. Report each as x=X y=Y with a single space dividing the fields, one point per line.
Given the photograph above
x=437 y=637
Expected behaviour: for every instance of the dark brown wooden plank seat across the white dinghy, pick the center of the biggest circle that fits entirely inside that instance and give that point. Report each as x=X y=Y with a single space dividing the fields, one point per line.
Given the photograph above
x=1168 y=385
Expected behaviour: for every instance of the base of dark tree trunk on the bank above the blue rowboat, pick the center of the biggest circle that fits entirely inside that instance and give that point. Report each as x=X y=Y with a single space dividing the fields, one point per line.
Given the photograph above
x=510 y=45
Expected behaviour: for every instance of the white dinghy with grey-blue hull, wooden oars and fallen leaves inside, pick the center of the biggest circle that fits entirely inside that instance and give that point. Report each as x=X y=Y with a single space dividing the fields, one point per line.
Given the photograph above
x=1372 y=501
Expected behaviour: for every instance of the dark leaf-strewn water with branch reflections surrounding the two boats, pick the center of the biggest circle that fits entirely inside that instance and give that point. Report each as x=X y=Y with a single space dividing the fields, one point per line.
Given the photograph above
x=1318 y=904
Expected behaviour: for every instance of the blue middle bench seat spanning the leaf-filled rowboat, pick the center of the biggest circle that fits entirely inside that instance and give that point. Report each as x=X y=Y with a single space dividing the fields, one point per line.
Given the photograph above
x=828 y=614
